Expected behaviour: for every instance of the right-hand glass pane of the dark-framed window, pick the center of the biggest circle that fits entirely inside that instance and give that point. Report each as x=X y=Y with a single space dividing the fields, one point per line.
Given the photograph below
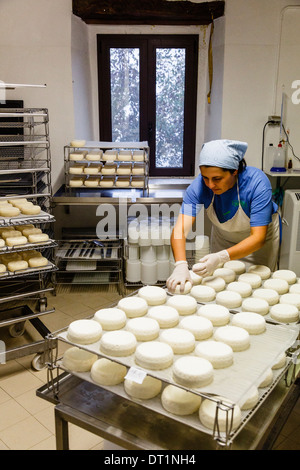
x=170 y=85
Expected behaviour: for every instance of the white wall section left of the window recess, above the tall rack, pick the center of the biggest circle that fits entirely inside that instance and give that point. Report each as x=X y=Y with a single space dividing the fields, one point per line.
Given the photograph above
x=35 y=48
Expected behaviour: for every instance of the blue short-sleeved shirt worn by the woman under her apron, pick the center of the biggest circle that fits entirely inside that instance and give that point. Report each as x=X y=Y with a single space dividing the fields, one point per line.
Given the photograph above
x=255 y=198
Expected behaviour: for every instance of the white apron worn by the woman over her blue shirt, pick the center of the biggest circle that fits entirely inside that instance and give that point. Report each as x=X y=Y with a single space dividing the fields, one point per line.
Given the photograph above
x=229 y=233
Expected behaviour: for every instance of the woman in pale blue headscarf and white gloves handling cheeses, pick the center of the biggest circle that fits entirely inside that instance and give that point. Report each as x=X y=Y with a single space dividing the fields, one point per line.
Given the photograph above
x=238 y=202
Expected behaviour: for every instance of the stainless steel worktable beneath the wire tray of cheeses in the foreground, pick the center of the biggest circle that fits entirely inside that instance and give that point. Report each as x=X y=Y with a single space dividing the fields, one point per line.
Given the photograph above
x=132 y=426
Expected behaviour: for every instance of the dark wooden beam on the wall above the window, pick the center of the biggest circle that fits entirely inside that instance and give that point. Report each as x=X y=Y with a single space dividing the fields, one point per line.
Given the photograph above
x=158 y=12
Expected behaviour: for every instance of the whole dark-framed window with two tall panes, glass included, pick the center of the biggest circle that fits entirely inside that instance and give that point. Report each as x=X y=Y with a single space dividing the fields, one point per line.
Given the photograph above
x=148 y=92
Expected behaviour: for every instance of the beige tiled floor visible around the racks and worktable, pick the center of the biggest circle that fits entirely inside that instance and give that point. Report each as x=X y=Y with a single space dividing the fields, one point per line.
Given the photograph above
x=27 y=421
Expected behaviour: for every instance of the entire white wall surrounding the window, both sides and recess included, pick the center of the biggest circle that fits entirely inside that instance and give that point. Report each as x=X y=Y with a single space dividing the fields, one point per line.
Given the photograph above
x=42 y=42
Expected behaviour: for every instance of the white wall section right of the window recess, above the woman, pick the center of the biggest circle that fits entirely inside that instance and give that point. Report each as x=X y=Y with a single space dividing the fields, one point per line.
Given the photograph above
x=252 y=41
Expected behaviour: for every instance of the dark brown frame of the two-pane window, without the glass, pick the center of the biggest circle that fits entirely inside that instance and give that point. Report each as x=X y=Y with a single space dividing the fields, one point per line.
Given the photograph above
x=147 y=45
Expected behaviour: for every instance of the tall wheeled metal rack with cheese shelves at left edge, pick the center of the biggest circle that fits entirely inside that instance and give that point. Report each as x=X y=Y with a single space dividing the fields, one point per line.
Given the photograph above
x=25 y=172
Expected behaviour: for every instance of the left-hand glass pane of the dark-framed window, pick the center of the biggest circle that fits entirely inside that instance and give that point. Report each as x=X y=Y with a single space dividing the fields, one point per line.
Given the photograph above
x=125 y=92
